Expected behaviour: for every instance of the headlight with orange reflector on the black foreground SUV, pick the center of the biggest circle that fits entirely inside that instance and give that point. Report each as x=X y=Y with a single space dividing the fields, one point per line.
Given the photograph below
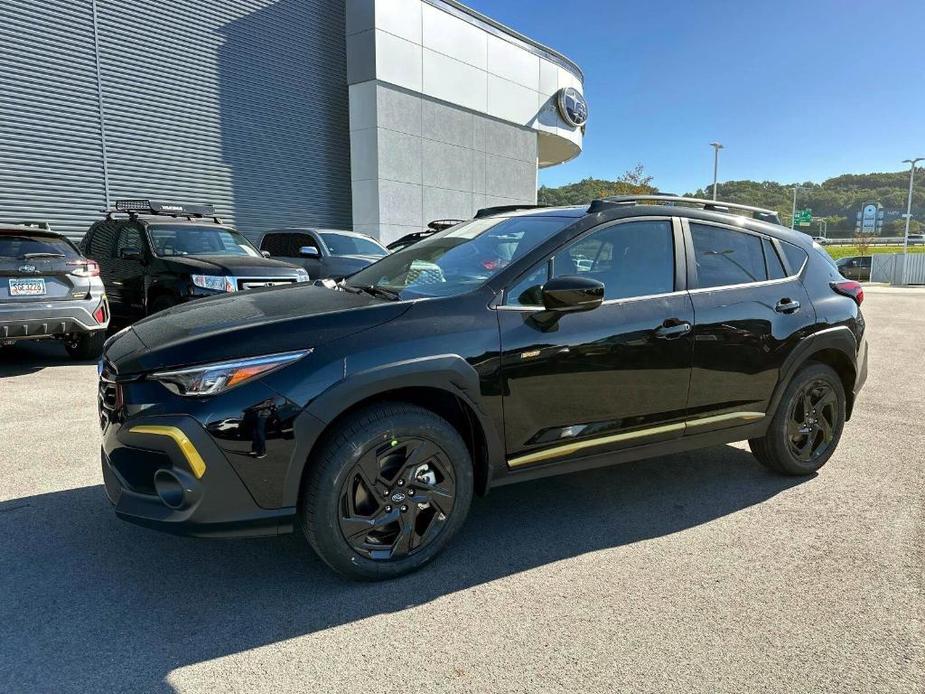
x=212 y=379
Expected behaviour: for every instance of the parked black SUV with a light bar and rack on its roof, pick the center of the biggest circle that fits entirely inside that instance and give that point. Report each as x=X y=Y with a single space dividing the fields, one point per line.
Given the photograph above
x=153 y=255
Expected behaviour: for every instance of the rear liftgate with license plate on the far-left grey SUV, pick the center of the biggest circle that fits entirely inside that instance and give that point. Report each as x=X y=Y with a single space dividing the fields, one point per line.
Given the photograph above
x=38 y=268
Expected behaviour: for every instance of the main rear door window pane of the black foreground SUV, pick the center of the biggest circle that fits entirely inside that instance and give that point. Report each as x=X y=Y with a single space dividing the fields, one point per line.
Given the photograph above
x=725 y=257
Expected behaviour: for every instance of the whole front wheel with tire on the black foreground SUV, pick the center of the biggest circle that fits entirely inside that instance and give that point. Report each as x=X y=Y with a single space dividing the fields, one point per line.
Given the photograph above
x=392 y=442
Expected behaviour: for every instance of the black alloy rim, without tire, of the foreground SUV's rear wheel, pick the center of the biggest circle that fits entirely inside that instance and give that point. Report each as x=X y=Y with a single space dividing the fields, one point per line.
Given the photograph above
x=812 y=421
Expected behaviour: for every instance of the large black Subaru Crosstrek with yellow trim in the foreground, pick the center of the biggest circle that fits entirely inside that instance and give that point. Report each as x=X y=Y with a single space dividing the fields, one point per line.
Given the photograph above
x=521 y=344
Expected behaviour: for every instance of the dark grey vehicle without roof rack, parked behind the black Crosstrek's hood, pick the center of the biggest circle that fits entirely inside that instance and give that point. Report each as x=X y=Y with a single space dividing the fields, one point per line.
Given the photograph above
x=324 y=253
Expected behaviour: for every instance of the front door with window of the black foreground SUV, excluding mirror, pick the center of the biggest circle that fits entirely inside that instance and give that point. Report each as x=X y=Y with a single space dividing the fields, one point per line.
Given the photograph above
x=613 y=377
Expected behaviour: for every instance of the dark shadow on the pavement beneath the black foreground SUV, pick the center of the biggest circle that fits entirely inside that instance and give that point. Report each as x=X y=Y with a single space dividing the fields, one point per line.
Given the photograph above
x=88 y=602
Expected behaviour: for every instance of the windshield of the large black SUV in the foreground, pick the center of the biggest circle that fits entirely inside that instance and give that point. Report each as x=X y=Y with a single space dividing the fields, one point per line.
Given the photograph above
x=459 y=259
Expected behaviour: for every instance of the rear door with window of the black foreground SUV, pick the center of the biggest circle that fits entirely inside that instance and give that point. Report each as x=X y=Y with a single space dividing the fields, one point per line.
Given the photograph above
x=750 y=310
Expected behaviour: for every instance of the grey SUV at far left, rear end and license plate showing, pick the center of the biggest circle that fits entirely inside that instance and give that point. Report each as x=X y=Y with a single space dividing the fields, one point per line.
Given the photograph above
x=49 y=291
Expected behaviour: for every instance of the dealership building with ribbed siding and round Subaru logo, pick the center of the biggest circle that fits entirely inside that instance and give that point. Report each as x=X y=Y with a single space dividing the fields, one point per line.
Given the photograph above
x=375 y=115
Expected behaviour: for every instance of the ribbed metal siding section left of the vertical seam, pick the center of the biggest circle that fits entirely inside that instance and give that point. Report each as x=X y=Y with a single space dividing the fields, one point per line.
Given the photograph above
x=51 y=166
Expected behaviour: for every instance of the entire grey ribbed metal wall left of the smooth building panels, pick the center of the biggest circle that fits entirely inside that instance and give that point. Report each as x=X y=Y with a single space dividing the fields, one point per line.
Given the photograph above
x=242 y=103
